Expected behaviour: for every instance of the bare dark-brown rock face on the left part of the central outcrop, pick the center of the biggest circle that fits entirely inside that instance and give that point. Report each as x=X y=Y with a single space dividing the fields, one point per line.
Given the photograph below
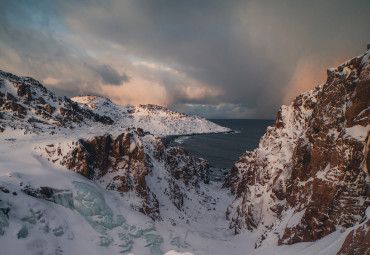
x=104 y=155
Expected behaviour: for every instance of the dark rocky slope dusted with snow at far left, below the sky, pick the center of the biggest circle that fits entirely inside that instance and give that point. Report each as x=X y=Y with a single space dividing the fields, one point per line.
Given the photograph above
x=26 y=104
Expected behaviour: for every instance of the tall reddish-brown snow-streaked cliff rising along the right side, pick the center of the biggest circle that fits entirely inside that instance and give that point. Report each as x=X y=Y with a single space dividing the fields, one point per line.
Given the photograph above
x=310 y=174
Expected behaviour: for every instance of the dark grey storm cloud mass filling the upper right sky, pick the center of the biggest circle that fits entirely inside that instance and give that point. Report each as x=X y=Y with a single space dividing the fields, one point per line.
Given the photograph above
x=247 y=48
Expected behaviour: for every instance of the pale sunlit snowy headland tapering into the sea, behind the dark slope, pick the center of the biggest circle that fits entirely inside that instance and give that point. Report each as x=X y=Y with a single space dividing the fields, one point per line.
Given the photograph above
x=155 y=119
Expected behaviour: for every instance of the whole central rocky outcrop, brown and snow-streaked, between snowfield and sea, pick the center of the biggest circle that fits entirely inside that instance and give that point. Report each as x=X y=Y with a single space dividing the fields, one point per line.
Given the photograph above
x=125 y=162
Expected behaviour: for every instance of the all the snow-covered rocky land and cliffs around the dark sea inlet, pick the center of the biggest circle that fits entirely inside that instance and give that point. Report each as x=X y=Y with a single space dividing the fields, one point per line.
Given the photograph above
x=75 y=175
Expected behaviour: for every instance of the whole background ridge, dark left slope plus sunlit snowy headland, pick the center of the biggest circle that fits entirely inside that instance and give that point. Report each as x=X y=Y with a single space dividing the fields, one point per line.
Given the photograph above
x=28 y=105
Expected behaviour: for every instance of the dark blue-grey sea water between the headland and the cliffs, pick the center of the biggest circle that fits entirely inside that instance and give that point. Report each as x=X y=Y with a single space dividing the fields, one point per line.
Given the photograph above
x=222 y=150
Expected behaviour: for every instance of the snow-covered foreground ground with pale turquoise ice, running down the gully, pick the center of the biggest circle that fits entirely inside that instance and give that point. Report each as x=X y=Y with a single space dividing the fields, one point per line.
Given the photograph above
x=83 y=217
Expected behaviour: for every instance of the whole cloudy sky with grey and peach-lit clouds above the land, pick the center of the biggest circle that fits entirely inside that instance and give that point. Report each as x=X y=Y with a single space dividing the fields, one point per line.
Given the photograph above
x=216 y=59
